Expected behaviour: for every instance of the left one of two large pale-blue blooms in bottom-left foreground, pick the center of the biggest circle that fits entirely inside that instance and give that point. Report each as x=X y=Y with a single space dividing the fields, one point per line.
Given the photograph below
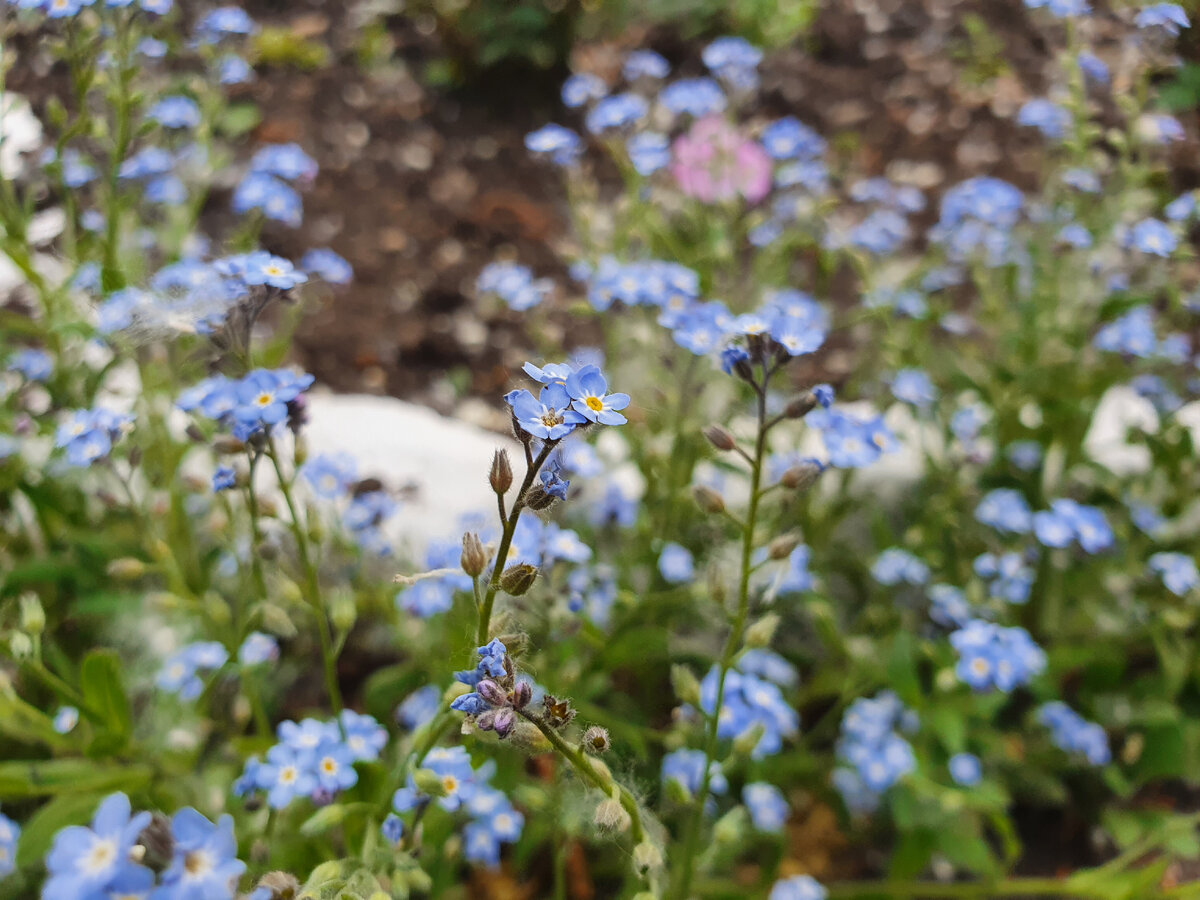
x=97 y=862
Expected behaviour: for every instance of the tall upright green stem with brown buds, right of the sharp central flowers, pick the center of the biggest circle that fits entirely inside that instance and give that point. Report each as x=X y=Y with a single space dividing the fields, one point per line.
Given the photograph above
x=733 y=645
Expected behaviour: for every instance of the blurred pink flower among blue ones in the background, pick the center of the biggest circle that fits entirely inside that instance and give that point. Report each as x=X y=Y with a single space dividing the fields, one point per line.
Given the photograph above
x=715 y=163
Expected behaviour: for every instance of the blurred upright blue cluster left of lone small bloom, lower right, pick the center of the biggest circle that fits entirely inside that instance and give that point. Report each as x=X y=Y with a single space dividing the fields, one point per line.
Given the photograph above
x=873 y=753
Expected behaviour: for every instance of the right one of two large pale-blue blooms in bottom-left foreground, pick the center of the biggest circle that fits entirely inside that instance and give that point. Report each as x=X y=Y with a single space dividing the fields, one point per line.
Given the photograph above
x=205 y=861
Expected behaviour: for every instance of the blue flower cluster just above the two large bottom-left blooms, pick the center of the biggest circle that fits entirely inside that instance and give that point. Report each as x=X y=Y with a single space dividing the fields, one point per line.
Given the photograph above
x=314 y=759
